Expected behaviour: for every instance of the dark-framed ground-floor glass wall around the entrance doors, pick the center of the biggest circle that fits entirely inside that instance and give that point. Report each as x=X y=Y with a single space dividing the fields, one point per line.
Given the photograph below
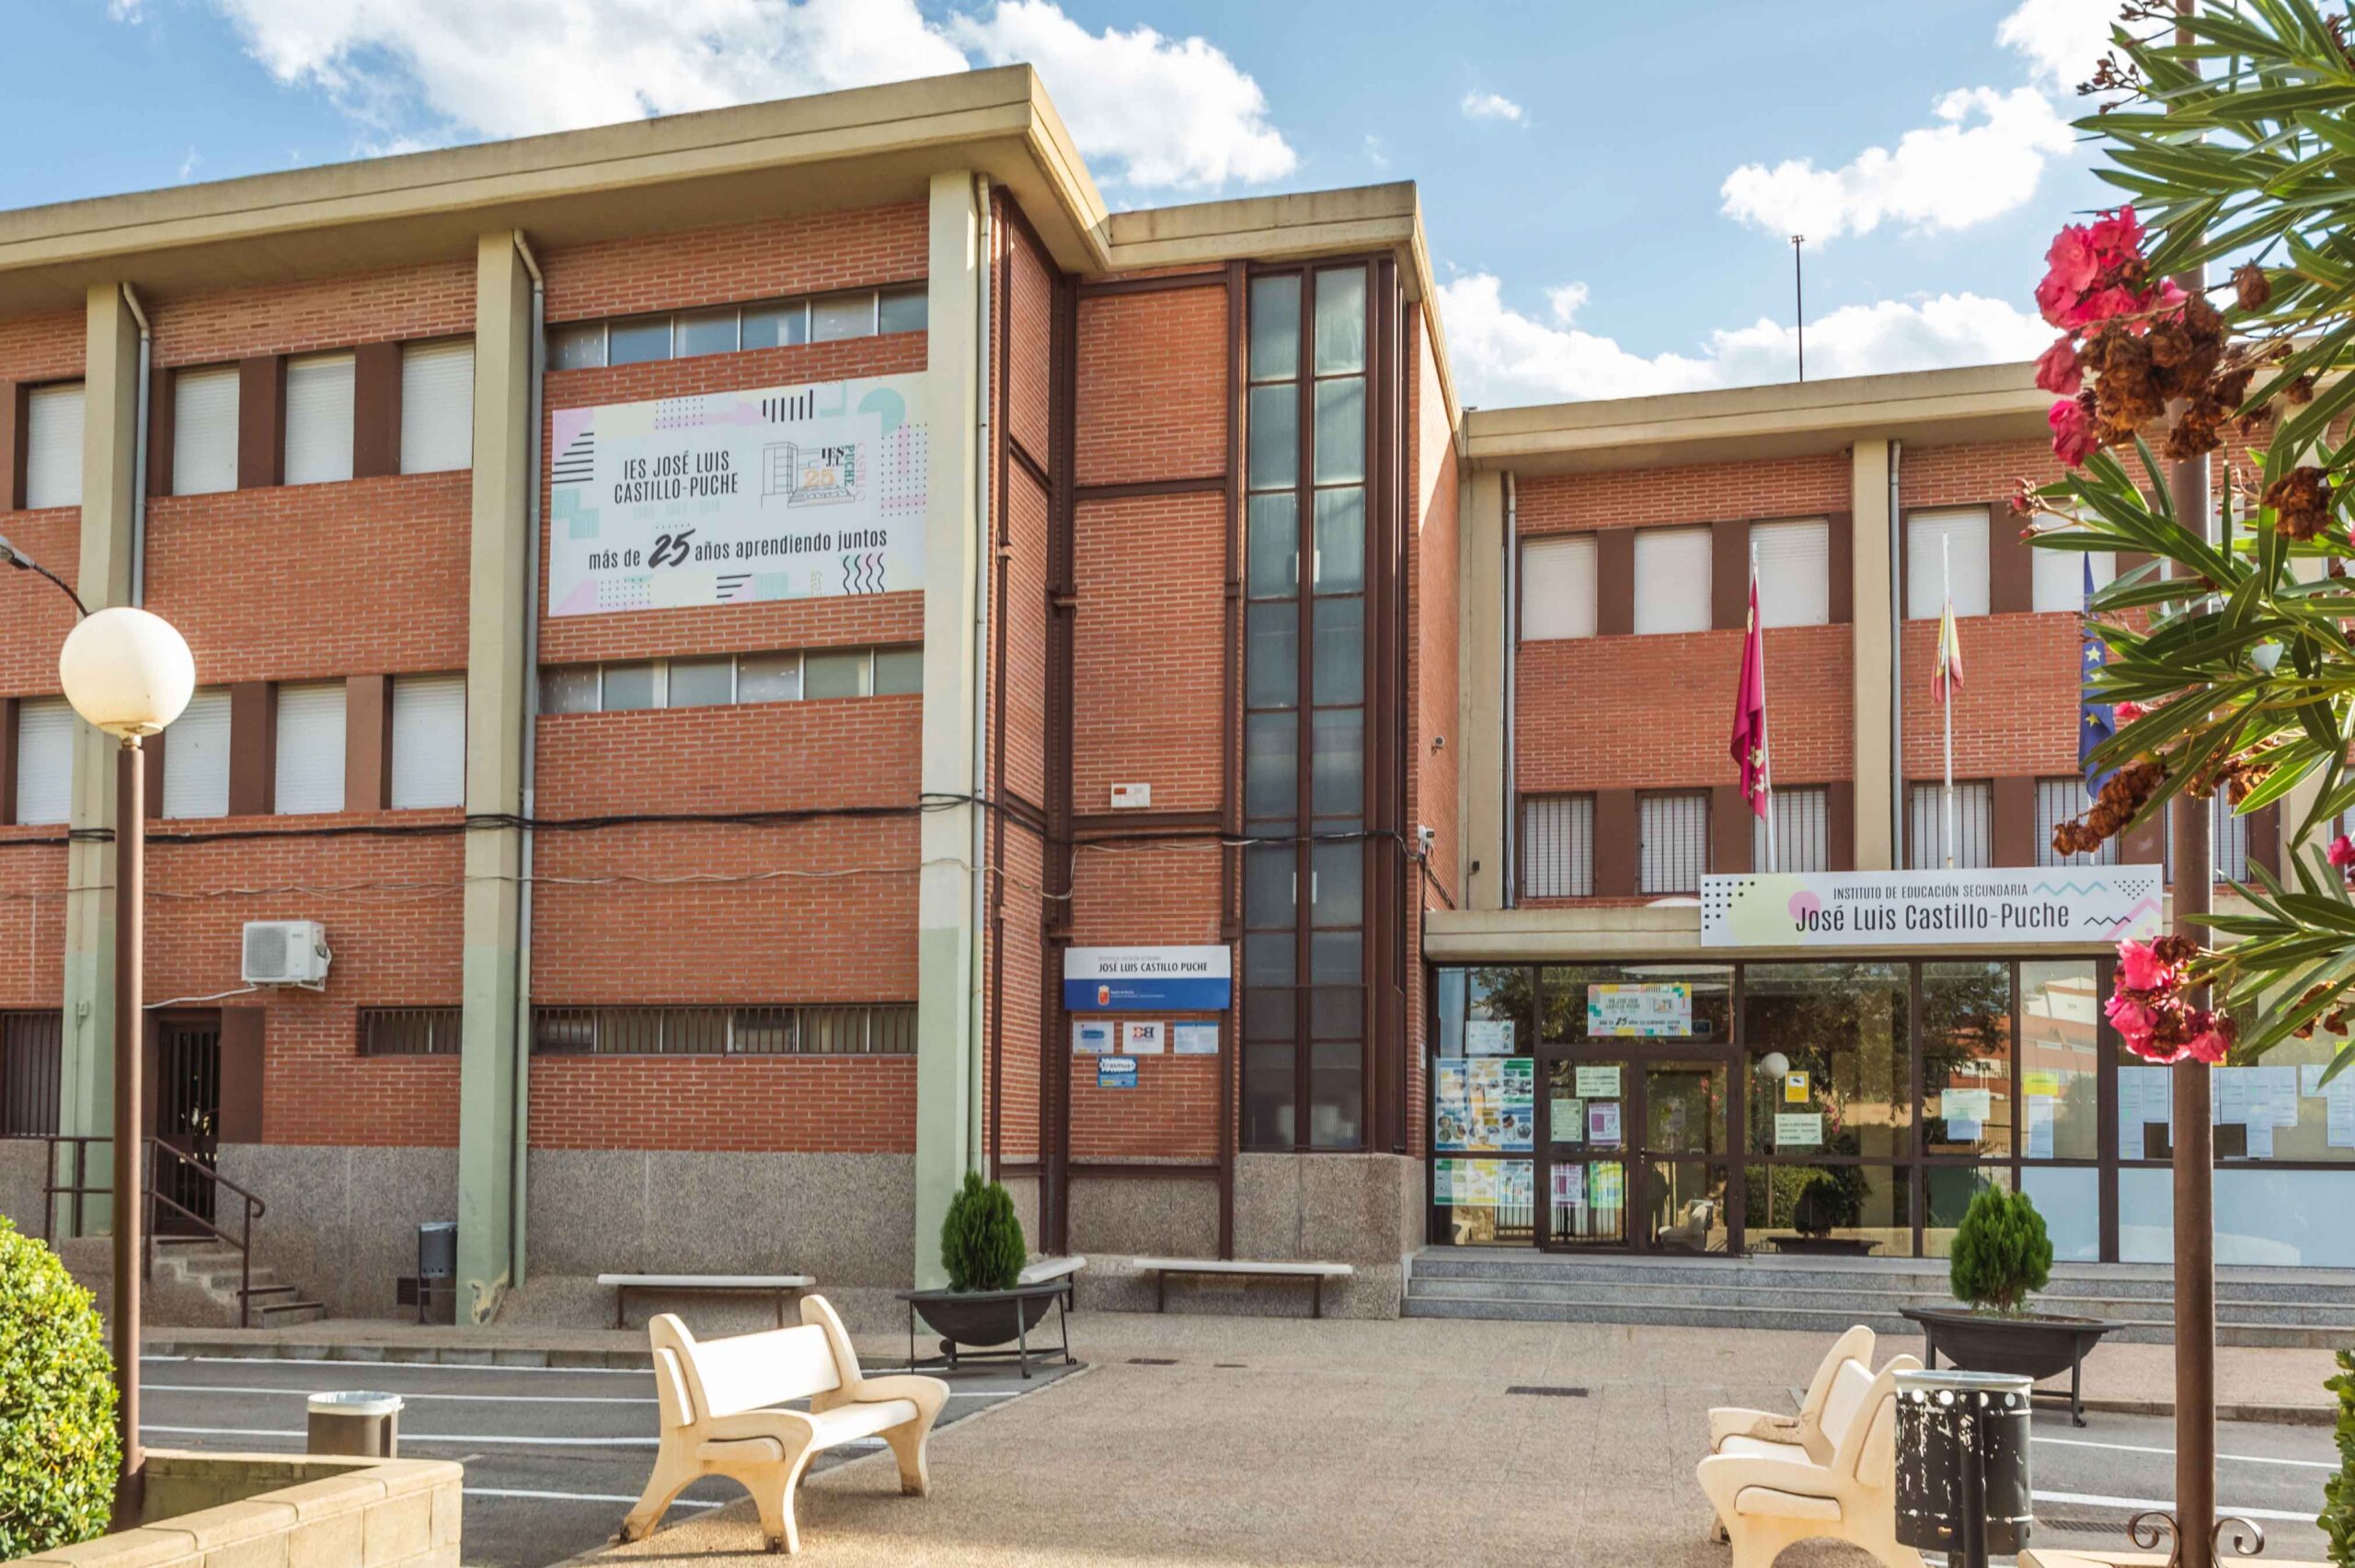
x=1876 y=1098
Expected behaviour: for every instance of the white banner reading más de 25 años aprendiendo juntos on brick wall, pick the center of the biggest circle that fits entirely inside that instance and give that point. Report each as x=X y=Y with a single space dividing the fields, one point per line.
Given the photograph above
x=734 y=498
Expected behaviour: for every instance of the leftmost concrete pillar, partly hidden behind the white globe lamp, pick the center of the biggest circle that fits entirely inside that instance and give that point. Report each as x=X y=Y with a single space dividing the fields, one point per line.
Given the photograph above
x=102 y=578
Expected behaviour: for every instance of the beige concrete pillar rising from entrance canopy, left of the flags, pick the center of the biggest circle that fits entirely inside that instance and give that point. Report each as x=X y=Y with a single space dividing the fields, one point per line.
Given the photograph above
x=1480 y=724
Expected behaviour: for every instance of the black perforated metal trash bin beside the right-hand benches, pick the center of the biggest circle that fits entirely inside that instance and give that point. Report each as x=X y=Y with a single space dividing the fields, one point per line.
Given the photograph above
x=1963 y=1466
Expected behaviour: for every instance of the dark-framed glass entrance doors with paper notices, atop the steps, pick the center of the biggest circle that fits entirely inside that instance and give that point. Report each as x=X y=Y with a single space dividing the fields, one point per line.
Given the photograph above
x=1636 y=1152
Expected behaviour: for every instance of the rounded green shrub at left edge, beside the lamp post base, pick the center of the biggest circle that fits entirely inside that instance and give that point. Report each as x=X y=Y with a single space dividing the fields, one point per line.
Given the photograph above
x=58 y=1404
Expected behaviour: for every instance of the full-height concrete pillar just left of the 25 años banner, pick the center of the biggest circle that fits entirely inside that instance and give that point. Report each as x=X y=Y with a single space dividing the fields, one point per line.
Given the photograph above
x=491 y=1119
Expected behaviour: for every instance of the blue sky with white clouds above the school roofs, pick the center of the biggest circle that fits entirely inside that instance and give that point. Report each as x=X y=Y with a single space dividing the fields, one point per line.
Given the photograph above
x=1610 y=190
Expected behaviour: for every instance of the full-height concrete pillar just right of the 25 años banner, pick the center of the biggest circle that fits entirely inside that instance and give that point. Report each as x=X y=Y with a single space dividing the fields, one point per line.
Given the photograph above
x=948 y=1042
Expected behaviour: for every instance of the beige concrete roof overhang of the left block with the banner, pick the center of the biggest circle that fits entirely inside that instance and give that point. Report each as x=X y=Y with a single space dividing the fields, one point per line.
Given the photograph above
x=840 y=150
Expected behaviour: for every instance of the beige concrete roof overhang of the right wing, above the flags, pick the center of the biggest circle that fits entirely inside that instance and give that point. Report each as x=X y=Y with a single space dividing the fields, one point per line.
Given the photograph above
x=1749 y=423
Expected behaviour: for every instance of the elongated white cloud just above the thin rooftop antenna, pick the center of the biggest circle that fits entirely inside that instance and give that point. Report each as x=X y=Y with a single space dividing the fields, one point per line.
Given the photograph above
x=1984 y=159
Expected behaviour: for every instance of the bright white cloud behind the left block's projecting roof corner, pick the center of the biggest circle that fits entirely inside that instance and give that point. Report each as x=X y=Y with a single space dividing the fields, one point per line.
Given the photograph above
x=1172 y=112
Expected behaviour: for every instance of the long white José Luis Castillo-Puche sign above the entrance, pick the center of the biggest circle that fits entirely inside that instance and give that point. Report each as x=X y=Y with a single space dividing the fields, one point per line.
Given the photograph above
x=2031 y=905
